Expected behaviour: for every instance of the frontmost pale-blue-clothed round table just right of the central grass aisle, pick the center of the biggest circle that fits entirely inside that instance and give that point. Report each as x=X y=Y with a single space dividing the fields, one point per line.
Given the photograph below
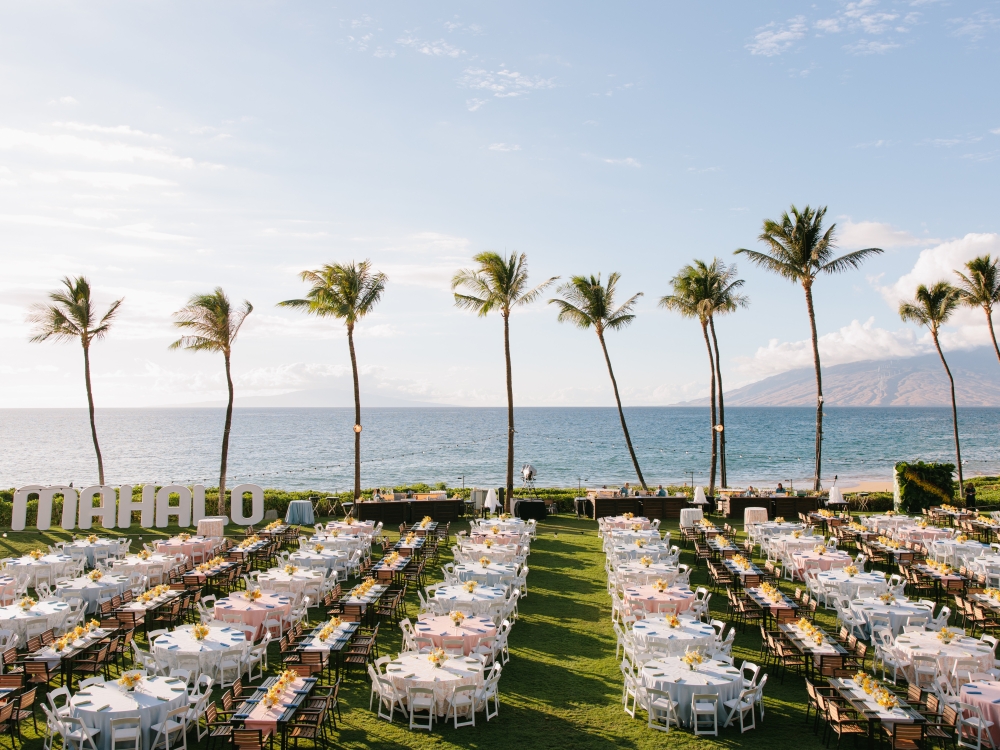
x=676 y=678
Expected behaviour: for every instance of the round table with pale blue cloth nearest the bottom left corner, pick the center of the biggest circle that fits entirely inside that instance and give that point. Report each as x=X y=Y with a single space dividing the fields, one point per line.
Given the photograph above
x=150 y=702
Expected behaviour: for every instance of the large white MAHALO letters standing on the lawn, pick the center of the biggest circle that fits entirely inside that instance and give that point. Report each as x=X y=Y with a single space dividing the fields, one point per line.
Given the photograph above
x=115 y=509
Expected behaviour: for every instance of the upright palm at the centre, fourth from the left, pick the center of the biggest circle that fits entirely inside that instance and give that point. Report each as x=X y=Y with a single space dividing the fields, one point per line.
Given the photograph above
x=499 y=282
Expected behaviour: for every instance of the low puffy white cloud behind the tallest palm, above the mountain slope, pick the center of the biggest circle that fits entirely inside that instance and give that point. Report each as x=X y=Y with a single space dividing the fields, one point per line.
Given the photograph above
x=852 y=343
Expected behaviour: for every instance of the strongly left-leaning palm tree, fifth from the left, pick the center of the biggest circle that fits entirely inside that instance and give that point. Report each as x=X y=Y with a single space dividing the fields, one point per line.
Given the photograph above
x=587 y=303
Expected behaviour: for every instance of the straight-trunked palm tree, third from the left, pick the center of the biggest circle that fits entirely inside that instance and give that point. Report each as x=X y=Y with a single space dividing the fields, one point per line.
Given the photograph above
x=348 y=292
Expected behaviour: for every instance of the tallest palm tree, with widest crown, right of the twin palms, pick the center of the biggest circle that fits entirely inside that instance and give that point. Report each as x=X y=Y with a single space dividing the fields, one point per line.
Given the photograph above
x=799 y=250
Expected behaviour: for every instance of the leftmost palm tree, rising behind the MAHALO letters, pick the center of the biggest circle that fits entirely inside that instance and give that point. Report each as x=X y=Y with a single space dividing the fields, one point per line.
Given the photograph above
x=72 y=316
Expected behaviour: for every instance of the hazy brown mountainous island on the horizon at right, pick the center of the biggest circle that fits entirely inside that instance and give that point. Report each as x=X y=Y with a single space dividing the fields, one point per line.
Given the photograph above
x=914 y=381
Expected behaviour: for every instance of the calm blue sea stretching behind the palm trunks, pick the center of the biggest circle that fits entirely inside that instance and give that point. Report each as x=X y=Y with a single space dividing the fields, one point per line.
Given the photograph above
x=314 y=448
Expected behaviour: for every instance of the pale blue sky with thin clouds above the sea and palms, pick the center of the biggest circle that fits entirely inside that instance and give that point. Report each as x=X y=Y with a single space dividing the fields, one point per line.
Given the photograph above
x=163 y=149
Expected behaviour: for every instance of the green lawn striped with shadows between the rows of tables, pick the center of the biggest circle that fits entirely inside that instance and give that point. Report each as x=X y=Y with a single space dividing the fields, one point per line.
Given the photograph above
x=562 y=687
